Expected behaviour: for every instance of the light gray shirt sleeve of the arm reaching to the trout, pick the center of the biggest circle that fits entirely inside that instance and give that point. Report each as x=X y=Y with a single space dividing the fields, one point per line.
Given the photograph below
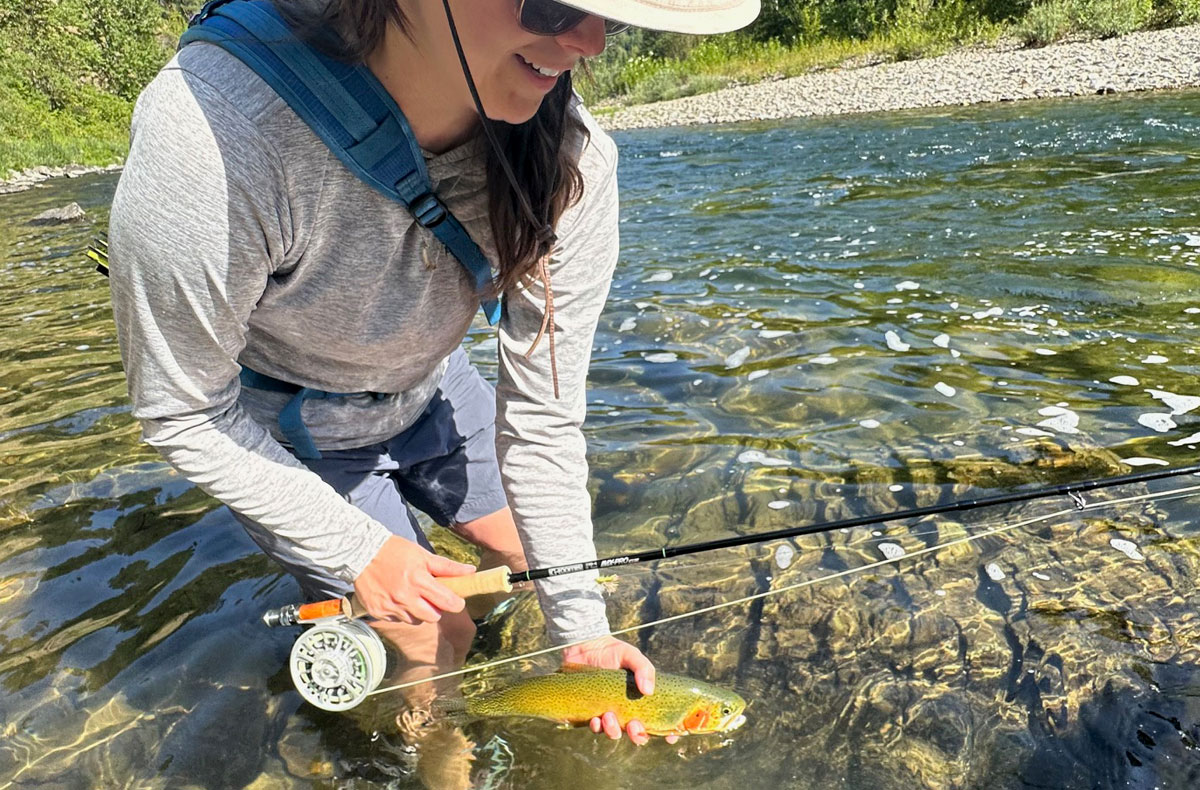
x=539 y=438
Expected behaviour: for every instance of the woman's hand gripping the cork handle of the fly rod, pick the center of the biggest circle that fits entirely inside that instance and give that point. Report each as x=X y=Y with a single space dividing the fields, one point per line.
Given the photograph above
x=400 y=584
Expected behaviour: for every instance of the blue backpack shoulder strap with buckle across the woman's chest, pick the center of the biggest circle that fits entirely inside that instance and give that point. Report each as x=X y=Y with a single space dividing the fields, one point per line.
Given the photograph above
x=352 y=112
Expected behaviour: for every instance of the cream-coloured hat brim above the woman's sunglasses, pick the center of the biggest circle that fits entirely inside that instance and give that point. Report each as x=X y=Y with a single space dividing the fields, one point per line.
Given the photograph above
x=675 y=16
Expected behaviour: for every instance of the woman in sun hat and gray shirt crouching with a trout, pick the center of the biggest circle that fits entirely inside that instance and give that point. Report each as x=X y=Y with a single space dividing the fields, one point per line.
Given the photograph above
x=243 y=247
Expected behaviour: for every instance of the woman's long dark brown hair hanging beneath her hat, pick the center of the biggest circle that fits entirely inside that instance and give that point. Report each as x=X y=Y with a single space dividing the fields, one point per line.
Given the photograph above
x=543 y=152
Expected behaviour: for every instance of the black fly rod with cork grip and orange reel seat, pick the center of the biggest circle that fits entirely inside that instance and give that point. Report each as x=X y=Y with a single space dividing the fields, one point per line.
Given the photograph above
x=501 y=580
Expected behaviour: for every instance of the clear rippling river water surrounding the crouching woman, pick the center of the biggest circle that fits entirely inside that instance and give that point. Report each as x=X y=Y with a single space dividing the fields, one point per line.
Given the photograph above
x=812 y=320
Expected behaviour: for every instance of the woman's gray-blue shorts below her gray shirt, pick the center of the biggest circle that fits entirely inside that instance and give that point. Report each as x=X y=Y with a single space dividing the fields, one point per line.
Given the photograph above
x=443 y=465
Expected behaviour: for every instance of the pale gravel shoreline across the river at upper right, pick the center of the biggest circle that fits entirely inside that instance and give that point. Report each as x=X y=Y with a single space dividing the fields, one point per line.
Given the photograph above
x=1147 y=61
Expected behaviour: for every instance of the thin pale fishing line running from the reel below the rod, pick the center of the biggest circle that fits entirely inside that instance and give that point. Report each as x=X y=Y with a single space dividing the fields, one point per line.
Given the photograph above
x=1079 y=507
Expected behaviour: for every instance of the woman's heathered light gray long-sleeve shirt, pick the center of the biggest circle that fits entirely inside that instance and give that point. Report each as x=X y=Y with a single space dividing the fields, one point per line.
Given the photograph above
x=239 y=240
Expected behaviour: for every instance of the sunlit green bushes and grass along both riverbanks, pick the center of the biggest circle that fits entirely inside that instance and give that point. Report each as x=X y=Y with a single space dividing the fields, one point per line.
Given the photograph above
x=70 y=70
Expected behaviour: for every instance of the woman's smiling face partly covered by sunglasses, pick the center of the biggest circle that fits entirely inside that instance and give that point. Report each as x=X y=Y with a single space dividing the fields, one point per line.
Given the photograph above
x=513 y=69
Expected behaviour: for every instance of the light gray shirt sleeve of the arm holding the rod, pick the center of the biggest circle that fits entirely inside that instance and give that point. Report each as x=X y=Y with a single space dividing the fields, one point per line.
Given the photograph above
x=200 y=222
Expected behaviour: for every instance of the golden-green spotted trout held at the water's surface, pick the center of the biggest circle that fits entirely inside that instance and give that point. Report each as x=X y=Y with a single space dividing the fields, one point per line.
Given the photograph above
x=573 y=697
